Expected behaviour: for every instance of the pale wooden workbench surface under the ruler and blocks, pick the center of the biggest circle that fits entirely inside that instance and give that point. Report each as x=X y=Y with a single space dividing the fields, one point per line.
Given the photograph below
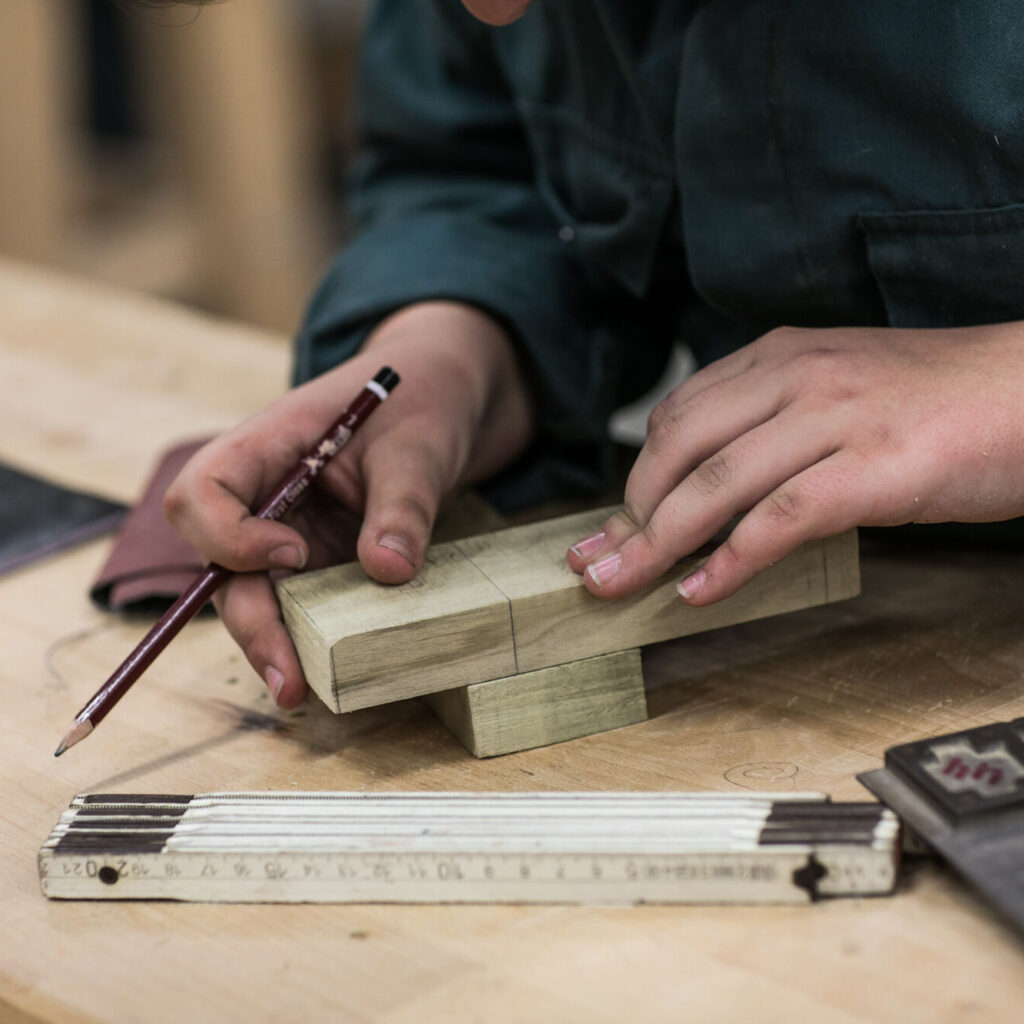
x=95 y=385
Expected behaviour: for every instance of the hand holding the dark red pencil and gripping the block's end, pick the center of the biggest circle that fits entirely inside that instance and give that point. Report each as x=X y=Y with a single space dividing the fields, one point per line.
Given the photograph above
x=460 y=414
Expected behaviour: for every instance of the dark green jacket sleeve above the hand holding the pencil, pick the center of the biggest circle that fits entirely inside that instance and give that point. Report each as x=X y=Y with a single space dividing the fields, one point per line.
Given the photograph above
x=444 y=207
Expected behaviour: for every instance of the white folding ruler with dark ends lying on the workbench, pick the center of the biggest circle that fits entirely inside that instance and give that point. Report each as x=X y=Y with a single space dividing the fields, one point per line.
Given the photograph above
x=466 y=847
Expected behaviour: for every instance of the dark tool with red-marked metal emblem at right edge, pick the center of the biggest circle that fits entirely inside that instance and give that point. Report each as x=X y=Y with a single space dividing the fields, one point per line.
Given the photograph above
x=963 y=794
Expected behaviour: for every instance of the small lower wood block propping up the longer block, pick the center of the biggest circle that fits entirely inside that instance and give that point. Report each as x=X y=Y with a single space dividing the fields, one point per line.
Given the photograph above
x=547 y=706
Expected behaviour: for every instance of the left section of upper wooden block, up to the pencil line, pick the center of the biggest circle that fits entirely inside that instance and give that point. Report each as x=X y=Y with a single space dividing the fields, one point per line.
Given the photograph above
x=363 y=644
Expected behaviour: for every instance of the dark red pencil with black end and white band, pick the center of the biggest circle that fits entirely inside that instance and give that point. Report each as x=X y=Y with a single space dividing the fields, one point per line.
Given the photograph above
x=284 y=497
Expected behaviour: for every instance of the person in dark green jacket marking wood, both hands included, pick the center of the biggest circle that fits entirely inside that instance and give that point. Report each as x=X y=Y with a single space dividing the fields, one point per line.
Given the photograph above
x=825 y=201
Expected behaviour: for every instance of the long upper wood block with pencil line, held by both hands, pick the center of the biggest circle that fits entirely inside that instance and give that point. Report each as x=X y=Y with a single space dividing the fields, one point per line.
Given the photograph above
x=506 y=603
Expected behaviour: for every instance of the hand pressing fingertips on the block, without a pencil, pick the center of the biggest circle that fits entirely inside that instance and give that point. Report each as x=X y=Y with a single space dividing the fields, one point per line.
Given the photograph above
x=805 y=434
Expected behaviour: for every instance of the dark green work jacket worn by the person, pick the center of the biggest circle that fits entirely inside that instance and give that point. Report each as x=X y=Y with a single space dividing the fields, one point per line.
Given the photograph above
x=607 y=177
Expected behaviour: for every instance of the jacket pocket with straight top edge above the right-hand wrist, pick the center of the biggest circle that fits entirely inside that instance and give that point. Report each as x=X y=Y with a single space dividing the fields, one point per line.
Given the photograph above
x=949 y=268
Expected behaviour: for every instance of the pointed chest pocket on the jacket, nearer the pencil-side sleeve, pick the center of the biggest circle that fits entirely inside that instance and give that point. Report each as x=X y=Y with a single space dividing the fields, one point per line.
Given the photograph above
x=611 y=197
